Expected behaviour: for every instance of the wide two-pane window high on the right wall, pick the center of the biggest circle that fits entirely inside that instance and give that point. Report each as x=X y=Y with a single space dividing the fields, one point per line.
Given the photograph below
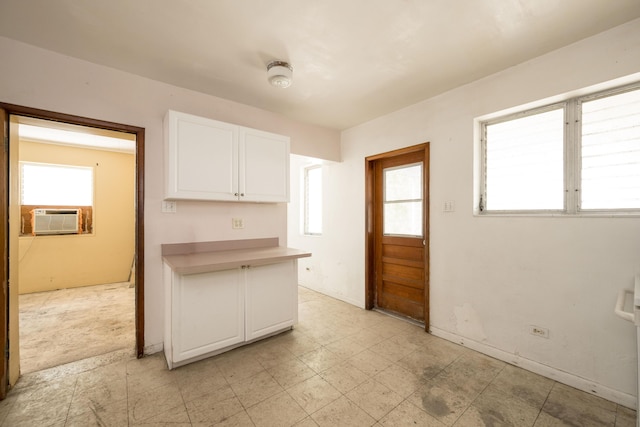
x=579 y=156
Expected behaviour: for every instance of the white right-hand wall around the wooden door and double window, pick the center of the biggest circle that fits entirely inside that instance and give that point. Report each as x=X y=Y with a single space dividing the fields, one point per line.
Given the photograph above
x=493 y=277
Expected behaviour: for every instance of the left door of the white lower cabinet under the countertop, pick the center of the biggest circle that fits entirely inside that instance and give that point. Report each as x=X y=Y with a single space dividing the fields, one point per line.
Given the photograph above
x=208 y=313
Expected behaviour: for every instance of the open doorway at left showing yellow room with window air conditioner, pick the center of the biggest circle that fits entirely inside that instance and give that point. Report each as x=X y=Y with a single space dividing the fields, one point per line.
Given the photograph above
x=91 y=248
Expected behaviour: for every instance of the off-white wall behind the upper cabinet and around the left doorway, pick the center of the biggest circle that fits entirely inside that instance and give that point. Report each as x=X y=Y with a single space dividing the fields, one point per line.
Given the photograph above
x=37 y=78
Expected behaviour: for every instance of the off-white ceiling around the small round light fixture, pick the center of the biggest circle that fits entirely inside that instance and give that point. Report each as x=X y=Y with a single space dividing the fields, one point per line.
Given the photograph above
x=353 y=60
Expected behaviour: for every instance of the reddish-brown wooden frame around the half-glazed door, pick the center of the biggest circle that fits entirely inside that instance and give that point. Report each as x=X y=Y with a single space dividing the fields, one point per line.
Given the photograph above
x=370 y=225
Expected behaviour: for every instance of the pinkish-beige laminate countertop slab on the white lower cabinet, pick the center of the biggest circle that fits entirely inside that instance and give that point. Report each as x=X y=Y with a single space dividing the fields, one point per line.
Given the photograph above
x=204 y=262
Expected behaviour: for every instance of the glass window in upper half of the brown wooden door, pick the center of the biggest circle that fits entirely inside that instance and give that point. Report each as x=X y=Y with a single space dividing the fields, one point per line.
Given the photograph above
x=402 y=211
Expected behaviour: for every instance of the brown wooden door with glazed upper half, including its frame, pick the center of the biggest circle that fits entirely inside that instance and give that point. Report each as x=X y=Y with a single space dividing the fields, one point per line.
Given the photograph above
x=398 y=233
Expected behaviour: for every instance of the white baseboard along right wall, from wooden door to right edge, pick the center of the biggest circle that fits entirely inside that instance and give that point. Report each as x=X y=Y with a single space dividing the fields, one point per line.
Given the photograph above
x=563 y=377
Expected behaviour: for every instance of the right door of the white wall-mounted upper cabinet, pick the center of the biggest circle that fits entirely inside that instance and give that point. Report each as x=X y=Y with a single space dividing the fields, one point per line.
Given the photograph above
x=264 y=166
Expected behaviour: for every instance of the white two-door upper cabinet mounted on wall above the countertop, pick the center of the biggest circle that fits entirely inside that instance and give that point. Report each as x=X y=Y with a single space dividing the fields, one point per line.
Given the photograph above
x=210 y=160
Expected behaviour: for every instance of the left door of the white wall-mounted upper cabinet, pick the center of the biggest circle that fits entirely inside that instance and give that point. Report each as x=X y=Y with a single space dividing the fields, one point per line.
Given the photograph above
x=201 y=158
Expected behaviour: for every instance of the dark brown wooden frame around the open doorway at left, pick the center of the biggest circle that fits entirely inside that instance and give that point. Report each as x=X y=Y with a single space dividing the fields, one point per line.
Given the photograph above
x=9 y=109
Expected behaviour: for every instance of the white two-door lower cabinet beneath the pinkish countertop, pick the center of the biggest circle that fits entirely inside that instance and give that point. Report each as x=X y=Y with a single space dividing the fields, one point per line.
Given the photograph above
x=208 y=313
